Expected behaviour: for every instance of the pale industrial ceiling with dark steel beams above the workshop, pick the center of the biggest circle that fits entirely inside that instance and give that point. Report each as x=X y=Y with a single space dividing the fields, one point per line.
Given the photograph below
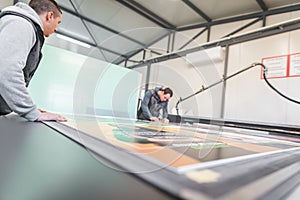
x=117 y=30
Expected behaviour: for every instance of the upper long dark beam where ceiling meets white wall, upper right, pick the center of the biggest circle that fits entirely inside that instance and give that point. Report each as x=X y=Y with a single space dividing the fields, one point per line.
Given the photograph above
x=243 y=17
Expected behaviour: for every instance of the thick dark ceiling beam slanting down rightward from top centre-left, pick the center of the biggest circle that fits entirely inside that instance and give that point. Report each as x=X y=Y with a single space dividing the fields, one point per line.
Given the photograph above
x=138 y=8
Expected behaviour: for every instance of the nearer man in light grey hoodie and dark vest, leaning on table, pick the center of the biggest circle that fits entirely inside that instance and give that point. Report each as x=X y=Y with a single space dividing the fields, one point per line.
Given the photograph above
x=22 y=31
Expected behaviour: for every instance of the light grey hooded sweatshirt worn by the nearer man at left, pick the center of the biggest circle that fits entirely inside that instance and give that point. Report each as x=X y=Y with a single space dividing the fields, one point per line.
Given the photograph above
x=17 y=37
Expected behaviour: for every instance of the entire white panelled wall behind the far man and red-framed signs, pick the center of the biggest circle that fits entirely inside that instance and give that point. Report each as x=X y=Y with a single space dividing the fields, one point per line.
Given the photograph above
x=247 y=98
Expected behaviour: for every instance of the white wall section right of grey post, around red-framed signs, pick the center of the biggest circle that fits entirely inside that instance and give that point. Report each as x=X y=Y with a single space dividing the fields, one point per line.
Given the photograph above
x=248 y=97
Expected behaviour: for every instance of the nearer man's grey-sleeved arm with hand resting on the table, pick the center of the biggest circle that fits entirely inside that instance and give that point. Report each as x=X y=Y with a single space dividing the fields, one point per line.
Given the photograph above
x=17 y=38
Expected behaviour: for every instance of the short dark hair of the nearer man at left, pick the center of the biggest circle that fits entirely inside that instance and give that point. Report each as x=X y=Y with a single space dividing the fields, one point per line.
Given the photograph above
x=42 y=6
